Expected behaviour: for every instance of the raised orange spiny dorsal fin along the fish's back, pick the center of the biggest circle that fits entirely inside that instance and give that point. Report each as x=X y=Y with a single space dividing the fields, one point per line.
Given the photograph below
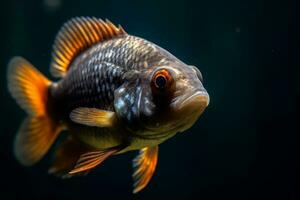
x=75 y=36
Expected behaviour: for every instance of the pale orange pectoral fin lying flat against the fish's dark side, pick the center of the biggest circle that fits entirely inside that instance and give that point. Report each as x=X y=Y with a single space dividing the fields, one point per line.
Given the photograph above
x=93 y=117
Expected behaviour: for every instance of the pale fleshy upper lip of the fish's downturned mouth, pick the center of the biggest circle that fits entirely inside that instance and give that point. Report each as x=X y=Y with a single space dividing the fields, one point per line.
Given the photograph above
x=201 y=97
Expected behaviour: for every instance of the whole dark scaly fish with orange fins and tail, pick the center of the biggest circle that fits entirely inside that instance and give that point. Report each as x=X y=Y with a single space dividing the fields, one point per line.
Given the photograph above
x=113 y=93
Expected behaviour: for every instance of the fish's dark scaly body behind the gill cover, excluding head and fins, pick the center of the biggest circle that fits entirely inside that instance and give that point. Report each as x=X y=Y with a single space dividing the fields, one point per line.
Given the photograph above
x=91 y=81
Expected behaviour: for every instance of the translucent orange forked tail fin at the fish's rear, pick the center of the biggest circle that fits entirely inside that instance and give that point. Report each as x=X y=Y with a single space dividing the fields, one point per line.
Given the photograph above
x=37 y=132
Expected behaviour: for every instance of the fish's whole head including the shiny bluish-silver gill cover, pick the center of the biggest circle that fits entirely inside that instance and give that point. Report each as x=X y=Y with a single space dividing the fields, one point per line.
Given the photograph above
x=161 y=100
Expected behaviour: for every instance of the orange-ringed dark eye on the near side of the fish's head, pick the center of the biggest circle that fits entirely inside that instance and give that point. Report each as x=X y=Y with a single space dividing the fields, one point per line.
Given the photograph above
x=162 y=79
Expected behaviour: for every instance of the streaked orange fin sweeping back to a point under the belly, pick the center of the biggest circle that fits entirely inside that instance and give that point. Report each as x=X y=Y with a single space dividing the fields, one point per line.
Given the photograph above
x=91 y=159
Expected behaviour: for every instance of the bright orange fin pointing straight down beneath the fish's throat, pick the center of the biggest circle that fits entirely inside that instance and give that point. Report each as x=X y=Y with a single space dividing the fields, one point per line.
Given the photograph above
x=144 y=165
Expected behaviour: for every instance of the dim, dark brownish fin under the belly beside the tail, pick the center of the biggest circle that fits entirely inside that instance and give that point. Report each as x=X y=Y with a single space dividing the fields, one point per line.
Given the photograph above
x=66 y=156
